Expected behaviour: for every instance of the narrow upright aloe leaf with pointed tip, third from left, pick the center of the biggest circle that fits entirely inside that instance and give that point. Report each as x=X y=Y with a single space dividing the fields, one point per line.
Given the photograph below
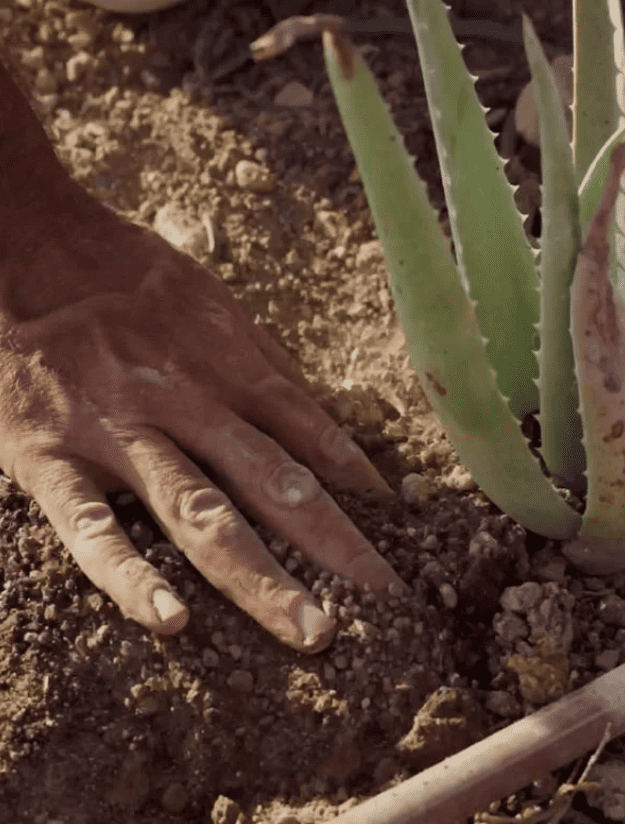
x=560 y=423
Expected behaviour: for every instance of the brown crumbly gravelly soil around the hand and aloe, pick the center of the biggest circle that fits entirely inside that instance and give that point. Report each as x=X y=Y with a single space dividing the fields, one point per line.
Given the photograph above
x=247 y=168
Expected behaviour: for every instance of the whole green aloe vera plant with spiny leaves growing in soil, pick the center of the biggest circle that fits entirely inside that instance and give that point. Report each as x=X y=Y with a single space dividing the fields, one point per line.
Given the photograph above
x=495 y=332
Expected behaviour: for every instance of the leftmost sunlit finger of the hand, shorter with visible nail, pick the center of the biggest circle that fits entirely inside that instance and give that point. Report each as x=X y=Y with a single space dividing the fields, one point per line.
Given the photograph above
x=87 y=526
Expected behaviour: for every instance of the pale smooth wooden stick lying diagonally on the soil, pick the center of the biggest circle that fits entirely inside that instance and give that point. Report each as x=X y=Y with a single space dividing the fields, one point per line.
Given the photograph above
x=505 y=762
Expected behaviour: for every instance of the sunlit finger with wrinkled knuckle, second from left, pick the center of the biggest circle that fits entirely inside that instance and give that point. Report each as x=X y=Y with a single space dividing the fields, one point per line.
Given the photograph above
x=203 y=523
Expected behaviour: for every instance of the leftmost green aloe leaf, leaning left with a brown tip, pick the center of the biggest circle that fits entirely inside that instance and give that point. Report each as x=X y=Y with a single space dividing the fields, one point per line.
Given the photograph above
x=442 y=333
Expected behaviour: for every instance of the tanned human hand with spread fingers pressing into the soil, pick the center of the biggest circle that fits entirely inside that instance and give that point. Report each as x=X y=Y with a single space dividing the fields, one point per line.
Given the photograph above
x=119 y=358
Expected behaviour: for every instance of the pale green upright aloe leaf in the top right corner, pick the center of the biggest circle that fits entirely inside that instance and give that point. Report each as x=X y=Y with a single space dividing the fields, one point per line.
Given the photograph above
x=598 y=55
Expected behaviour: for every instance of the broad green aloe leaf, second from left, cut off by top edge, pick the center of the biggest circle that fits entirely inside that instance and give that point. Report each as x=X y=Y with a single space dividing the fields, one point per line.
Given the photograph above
x=492 y=250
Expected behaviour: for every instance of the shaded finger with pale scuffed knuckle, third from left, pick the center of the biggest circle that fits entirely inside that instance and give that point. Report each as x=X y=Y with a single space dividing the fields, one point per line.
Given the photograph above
x=259 y=475
